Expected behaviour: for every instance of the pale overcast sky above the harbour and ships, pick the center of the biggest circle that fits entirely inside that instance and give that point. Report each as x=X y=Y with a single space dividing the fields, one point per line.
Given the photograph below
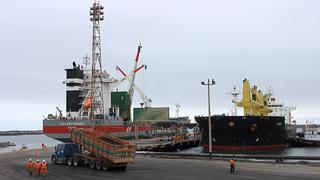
x=270 y=42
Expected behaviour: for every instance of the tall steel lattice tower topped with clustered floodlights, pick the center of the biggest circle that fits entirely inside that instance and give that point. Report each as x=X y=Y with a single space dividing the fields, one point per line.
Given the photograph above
x=96 y=14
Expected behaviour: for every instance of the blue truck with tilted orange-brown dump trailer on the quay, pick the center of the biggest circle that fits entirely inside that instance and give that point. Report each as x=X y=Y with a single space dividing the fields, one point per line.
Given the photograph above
x=98 y=150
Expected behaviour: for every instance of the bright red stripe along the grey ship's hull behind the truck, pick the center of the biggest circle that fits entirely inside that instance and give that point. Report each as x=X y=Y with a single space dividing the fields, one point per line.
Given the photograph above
x=105 y=129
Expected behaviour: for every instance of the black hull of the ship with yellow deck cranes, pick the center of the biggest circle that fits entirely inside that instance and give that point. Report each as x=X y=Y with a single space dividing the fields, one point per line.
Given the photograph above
x=243 y=133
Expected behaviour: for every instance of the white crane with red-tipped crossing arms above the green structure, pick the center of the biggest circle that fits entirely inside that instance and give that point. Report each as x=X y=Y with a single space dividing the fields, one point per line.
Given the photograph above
x=131 y=77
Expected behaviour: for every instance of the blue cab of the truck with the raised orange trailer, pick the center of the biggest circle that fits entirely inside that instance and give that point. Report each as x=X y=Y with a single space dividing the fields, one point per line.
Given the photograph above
x=63 y=152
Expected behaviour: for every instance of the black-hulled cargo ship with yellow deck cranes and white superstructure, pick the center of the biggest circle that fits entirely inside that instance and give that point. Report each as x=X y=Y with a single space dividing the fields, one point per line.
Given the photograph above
x=262 y=127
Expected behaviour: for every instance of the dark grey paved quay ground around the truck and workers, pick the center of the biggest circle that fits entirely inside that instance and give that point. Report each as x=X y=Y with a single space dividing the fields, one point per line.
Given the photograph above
x=12 y=166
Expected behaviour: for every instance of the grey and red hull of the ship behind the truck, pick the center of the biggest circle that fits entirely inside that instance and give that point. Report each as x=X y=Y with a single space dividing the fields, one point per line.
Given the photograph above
x=59 y=129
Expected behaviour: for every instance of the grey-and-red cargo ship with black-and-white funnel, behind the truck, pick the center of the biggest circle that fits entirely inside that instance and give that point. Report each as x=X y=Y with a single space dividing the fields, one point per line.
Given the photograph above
x=93 y=100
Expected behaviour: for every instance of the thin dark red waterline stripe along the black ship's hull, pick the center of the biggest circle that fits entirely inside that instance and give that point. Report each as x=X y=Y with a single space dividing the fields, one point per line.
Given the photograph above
x=244 y=148
